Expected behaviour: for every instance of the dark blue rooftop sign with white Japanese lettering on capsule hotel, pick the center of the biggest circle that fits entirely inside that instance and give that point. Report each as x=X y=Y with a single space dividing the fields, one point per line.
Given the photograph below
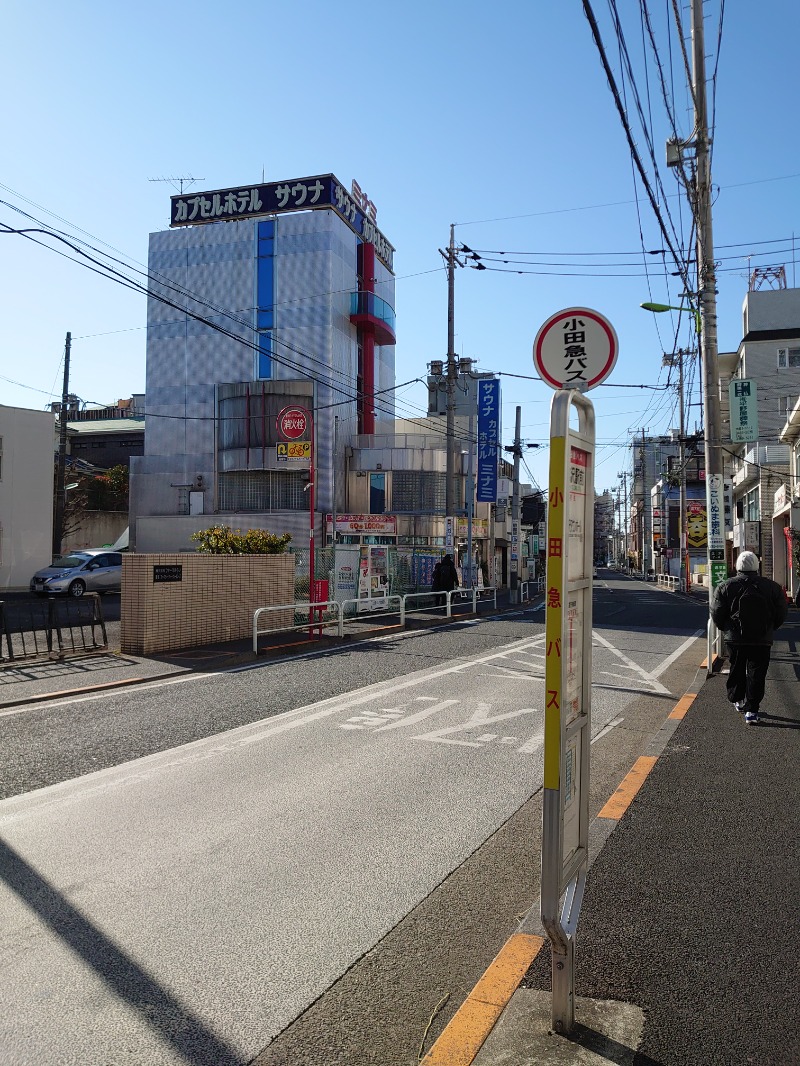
x=280 y=198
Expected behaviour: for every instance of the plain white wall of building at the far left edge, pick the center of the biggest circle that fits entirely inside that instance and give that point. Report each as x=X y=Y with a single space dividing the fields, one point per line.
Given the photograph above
x=28 y=443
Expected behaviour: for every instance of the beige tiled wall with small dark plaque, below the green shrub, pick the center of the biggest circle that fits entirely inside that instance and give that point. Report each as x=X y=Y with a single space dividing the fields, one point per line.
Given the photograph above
x=214 y=601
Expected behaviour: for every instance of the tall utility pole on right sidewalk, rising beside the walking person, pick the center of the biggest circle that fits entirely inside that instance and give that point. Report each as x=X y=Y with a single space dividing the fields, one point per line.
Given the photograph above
x=708 y=309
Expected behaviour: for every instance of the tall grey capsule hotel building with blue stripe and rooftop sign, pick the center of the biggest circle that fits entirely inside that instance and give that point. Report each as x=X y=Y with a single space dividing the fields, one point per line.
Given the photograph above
x=264 y=299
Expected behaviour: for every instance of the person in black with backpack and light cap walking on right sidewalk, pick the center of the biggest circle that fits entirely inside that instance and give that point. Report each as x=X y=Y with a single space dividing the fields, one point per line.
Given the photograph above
x=748 y=609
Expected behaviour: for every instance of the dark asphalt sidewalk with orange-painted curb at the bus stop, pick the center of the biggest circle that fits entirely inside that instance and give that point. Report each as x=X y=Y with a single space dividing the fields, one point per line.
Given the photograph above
x=689 y=944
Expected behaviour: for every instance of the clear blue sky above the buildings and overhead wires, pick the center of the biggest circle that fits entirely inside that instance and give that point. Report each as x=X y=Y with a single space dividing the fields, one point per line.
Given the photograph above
x=495 y=118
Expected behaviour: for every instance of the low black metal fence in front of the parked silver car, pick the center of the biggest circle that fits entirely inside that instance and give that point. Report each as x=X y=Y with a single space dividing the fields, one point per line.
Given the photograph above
x=52 y=628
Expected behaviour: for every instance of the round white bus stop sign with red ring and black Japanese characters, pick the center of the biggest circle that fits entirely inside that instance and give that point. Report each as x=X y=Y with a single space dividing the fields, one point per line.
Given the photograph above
x=575 y=349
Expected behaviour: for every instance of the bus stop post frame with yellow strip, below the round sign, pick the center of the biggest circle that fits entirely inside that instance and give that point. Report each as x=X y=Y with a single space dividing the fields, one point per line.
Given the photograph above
x=568 y=687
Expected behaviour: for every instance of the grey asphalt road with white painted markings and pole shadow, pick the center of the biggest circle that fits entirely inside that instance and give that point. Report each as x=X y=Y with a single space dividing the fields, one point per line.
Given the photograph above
x=212 y=861
